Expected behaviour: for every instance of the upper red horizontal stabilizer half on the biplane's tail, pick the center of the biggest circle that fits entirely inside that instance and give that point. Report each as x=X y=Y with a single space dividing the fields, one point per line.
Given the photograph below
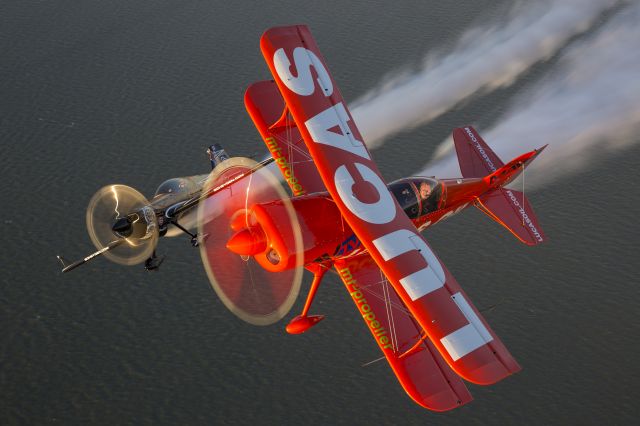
x=474 y=155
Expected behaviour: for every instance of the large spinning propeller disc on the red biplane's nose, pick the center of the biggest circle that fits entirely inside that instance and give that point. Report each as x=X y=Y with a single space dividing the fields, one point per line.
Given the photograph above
x=253 y=266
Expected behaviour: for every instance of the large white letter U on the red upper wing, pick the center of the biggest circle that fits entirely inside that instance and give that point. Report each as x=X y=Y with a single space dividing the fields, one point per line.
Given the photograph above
x=423 y=281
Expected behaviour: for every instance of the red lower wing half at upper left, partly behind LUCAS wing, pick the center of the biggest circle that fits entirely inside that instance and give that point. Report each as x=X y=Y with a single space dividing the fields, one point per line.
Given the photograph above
x=279 y=132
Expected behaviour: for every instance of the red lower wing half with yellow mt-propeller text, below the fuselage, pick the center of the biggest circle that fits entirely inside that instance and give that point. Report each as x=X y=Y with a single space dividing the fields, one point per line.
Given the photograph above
x=424 y=375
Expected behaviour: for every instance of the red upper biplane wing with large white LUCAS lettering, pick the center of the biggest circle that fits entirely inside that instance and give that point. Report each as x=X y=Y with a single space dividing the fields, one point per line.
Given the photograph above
x=424 y=285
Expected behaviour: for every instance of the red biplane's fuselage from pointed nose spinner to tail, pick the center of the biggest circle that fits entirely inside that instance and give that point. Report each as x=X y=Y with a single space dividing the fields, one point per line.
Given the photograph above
x=327 y=237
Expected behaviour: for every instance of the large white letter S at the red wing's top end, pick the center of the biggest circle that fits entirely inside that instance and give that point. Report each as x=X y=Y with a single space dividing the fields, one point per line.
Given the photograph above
x=303 y=59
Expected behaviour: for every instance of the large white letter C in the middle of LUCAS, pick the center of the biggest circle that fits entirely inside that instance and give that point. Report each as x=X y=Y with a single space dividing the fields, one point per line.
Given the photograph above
x=382 y=211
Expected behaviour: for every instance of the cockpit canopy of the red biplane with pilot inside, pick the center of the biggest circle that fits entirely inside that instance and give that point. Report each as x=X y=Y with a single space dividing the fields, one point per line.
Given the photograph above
x=418 y=195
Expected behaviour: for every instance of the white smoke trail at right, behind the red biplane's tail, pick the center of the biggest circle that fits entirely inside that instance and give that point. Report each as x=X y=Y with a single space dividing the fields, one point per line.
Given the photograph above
x=589 y=105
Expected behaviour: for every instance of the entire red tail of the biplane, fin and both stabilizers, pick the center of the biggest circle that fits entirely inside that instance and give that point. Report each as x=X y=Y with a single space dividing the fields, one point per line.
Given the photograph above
x=508 y=207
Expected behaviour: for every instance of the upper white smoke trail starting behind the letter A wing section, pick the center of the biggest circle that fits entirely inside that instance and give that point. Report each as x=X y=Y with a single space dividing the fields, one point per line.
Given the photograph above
x=484 y=60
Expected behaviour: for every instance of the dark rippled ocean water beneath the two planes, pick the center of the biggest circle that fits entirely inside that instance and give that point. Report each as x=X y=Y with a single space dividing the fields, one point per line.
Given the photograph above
x=93 y=93
